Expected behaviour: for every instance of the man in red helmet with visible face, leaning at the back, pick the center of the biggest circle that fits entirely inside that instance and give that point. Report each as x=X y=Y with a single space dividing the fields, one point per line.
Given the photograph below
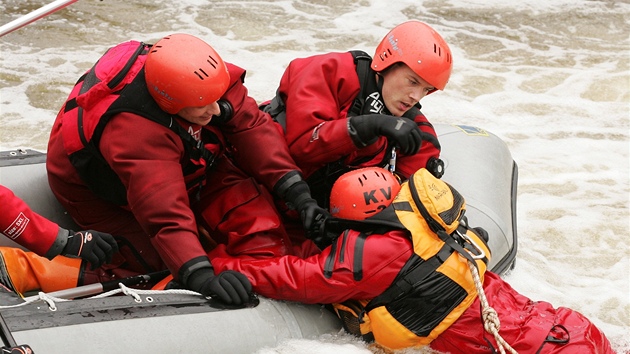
x=345 y=110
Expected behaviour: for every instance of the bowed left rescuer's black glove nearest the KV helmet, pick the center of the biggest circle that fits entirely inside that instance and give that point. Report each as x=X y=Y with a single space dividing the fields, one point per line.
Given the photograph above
x=299 y=198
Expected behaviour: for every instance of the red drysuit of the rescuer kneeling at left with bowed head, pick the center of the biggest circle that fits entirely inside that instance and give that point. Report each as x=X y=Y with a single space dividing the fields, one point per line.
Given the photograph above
x=160 y=219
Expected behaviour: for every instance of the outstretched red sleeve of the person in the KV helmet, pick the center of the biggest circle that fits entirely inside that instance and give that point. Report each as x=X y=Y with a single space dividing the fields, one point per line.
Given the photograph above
x=305 y=280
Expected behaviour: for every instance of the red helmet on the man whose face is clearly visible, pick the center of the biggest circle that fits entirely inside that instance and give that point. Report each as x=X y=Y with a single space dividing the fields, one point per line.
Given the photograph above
x=421 y=48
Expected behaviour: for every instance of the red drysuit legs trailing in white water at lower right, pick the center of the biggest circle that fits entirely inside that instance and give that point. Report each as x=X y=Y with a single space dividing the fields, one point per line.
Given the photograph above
x=528 y=326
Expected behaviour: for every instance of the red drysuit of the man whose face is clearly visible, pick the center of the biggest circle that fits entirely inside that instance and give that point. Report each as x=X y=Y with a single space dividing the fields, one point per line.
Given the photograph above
x=318 y=91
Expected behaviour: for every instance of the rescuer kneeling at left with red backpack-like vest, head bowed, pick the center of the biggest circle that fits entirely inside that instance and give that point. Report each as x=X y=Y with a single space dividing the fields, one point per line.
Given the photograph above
x=158 y=144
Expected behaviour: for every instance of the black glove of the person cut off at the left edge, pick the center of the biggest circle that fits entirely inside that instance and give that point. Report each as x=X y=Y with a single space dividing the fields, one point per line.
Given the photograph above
x=93 y=246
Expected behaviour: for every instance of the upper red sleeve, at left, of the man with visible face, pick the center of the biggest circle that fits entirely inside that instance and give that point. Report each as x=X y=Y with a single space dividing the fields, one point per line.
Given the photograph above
x=318 y=91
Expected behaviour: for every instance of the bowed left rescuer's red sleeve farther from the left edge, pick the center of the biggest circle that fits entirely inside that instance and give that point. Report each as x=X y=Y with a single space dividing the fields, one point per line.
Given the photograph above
x=257 y=142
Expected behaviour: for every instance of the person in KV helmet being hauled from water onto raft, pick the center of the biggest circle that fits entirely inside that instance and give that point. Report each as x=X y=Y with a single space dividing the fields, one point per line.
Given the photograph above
x=361 y=266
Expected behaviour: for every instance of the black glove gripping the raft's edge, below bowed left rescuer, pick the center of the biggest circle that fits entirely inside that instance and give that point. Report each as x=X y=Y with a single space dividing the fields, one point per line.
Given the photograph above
x=231 y=287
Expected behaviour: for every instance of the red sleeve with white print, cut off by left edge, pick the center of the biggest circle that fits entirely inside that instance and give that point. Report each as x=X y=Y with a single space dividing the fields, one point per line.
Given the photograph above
x=27 y=228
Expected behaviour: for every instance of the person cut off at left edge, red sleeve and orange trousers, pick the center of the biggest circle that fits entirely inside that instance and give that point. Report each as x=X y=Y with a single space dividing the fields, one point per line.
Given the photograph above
x=48 y=240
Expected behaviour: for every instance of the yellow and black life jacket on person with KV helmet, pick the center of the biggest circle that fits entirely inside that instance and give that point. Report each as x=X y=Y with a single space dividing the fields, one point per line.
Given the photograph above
x=436 y=285
